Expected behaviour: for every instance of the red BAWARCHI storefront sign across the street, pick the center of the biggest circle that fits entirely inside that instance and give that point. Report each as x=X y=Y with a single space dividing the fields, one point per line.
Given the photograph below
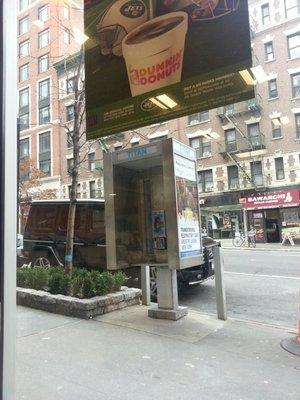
x=282 y=198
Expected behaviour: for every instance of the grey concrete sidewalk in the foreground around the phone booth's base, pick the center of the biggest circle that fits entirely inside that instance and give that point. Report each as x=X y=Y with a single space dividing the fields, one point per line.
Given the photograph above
x=127 y=356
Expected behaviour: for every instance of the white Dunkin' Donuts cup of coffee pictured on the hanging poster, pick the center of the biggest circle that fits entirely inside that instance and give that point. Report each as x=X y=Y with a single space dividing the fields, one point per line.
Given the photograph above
x=154 y=52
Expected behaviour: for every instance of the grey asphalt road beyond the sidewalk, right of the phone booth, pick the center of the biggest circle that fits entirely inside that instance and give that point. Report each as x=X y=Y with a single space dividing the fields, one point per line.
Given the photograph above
x=260 y=286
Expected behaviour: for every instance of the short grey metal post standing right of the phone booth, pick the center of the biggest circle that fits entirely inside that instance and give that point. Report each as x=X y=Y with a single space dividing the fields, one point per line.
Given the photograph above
x=220 y=285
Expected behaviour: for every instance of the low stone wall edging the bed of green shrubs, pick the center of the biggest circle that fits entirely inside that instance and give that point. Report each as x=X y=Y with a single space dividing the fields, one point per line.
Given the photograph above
x=80 y=308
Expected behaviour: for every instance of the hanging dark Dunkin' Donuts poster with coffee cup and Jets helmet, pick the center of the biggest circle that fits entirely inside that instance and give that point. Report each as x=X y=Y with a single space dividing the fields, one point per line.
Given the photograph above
x=149 y=61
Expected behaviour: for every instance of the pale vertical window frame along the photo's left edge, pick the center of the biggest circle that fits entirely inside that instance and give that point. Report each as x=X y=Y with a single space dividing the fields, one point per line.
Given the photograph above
x=8 y=195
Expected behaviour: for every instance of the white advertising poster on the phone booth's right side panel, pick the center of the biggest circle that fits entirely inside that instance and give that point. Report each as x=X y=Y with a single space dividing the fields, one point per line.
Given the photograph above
x=187 y=207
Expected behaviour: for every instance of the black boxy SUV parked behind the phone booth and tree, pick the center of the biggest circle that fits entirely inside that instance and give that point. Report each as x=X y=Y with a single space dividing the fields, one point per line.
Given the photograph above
x=45 y=240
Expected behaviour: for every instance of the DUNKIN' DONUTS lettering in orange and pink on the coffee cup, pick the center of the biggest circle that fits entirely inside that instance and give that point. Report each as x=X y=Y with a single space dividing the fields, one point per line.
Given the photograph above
x=157 y=72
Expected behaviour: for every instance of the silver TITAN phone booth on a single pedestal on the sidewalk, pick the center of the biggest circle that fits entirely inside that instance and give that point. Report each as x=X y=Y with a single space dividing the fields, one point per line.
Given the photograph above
x=152 y=215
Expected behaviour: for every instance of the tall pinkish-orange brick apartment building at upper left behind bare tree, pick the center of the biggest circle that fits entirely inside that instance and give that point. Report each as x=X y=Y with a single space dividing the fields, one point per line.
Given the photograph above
x=45 y=36
